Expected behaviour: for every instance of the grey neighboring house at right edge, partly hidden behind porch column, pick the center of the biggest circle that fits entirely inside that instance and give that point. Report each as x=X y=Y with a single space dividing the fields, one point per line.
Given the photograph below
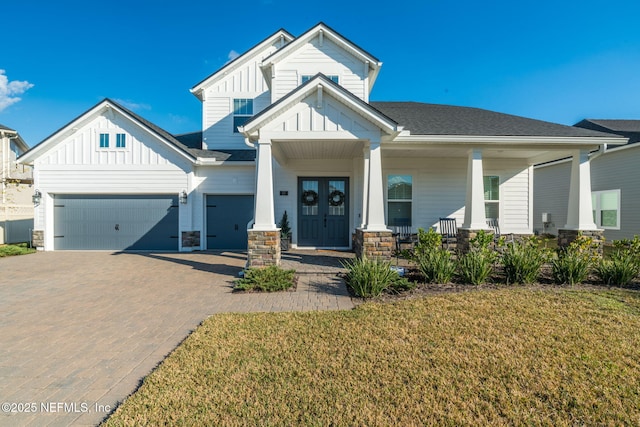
x=615 y=184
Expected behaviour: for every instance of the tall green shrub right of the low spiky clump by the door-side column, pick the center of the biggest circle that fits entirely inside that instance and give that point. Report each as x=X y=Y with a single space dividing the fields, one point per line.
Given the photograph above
x=434 y=262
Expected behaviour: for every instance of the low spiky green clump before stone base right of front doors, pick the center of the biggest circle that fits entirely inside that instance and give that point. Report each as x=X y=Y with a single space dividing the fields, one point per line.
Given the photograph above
x=369 y=278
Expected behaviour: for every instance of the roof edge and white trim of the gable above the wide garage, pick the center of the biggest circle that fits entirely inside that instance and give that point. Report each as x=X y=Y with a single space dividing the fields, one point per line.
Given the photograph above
x=107 y=103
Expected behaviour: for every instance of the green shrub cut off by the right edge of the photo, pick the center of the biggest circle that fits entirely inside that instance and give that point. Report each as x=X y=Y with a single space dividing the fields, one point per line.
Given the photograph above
x=623 y=266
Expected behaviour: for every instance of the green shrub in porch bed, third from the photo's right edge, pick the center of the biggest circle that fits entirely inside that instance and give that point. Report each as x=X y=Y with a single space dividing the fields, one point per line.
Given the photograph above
x=522 y=261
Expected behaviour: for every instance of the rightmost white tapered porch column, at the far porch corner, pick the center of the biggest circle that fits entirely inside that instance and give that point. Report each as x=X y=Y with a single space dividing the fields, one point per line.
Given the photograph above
x=579 y=212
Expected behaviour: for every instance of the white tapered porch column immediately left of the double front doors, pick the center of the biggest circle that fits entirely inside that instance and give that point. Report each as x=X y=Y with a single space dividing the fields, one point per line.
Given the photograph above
x=264 y=215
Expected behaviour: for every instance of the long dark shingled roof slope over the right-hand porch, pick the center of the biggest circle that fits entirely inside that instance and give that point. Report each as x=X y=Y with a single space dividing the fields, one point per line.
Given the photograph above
x=435 y=119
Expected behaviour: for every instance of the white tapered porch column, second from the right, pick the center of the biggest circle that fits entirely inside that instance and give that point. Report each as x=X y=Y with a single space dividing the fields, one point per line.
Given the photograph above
x=474 y=215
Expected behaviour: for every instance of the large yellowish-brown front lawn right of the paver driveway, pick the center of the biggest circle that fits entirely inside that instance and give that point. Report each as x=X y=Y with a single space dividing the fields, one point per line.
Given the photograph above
x=501 y=357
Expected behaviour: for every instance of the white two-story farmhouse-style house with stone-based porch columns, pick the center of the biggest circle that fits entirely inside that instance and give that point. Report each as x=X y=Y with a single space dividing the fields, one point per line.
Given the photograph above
x=289 y=125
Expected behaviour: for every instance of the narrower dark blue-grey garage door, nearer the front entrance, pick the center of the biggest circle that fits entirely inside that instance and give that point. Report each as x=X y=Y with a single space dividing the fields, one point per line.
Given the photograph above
x=227 y=218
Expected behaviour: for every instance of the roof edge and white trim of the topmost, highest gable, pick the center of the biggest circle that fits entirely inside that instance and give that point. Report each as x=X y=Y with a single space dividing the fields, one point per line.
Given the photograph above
x=333 y=35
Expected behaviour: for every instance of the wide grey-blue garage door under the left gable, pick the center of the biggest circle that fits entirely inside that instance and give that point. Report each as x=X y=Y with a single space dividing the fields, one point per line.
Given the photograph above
x=116 y=222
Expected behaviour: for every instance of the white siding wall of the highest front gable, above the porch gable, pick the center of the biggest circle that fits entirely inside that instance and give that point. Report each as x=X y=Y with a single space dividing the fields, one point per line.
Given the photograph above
x=311 y=59
